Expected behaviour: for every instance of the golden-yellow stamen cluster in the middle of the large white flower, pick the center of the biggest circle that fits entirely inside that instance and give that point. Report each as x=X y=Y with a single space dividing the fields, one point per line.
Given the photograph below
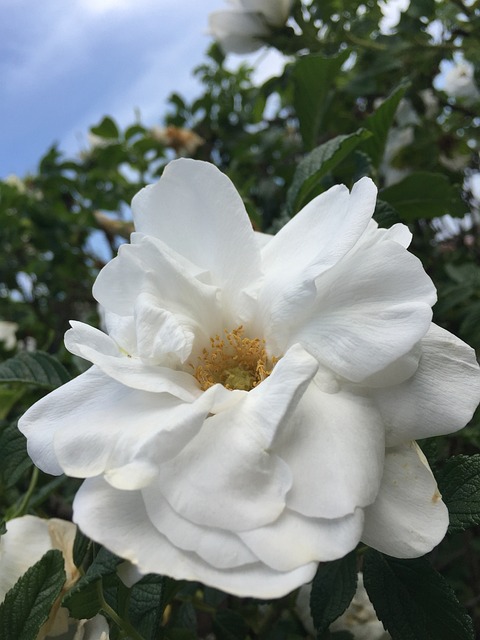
x=236 y=362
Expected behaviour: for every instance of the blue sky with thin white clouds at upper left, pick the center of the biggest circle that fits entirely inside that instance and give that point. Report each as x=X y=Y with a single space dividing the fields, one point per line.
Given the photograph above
x=66 y=63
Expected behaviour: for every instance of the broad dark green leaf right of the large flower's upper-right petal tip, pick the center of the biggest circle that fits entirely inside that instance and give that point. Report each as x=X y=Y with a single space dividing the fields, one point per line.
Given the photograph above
x=421 y=195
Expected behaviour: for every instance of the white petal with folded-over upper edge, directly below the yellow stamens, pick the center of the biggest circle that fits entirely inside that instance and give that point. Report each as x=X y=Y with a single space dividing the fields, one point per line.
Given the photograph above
x=227 y=476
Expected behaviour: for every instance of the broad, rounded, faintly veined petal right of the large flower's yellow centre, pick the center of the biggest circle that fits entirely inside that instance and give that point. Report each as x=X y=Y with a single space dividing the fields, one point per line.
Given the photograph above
x=371 y=309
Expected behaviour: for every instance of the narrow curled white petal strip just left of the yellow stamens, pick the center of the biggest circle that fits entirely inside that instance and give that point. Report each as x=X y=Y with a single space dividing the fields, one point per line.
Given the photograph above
x=95 y=346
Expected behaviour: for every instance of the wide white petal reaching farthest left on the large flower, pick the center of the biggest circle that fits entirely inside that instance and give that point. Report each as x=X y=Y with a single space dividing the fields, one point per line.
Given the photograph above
x=94 y=424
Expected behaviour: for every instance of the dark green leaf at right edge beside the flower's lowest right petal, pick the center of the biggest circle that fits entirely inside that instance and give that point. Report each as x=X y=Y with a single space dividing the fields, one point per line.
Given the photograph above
x=459 y=484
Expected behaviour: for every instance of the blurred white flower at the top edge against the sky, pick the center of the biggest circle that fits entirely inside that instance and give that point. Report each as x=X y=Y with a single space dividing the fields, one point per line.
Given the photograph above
x=242 y=28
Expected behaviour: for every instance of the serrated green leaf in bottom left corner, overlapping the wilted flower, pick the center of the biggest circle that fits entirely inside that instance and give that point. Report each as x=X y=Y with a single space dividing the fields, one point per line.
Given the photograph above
x=27 y=605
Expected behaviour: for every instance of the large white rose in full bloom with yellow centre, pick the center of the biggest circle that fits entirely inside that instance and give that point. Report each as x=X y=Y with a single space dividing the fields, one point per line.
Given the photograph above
x=252 y=408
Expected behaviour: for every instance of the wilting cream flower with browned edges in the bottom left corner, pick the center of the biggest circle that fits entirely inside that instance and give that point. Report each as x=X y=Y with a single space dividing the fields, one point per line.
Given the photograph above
x=27 y=539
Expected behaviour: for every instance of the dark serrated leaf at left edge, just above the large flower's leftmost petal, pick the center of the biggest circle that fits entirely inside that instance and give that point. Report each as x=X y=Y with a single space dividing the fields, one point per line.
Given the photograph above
x=38 y=368
